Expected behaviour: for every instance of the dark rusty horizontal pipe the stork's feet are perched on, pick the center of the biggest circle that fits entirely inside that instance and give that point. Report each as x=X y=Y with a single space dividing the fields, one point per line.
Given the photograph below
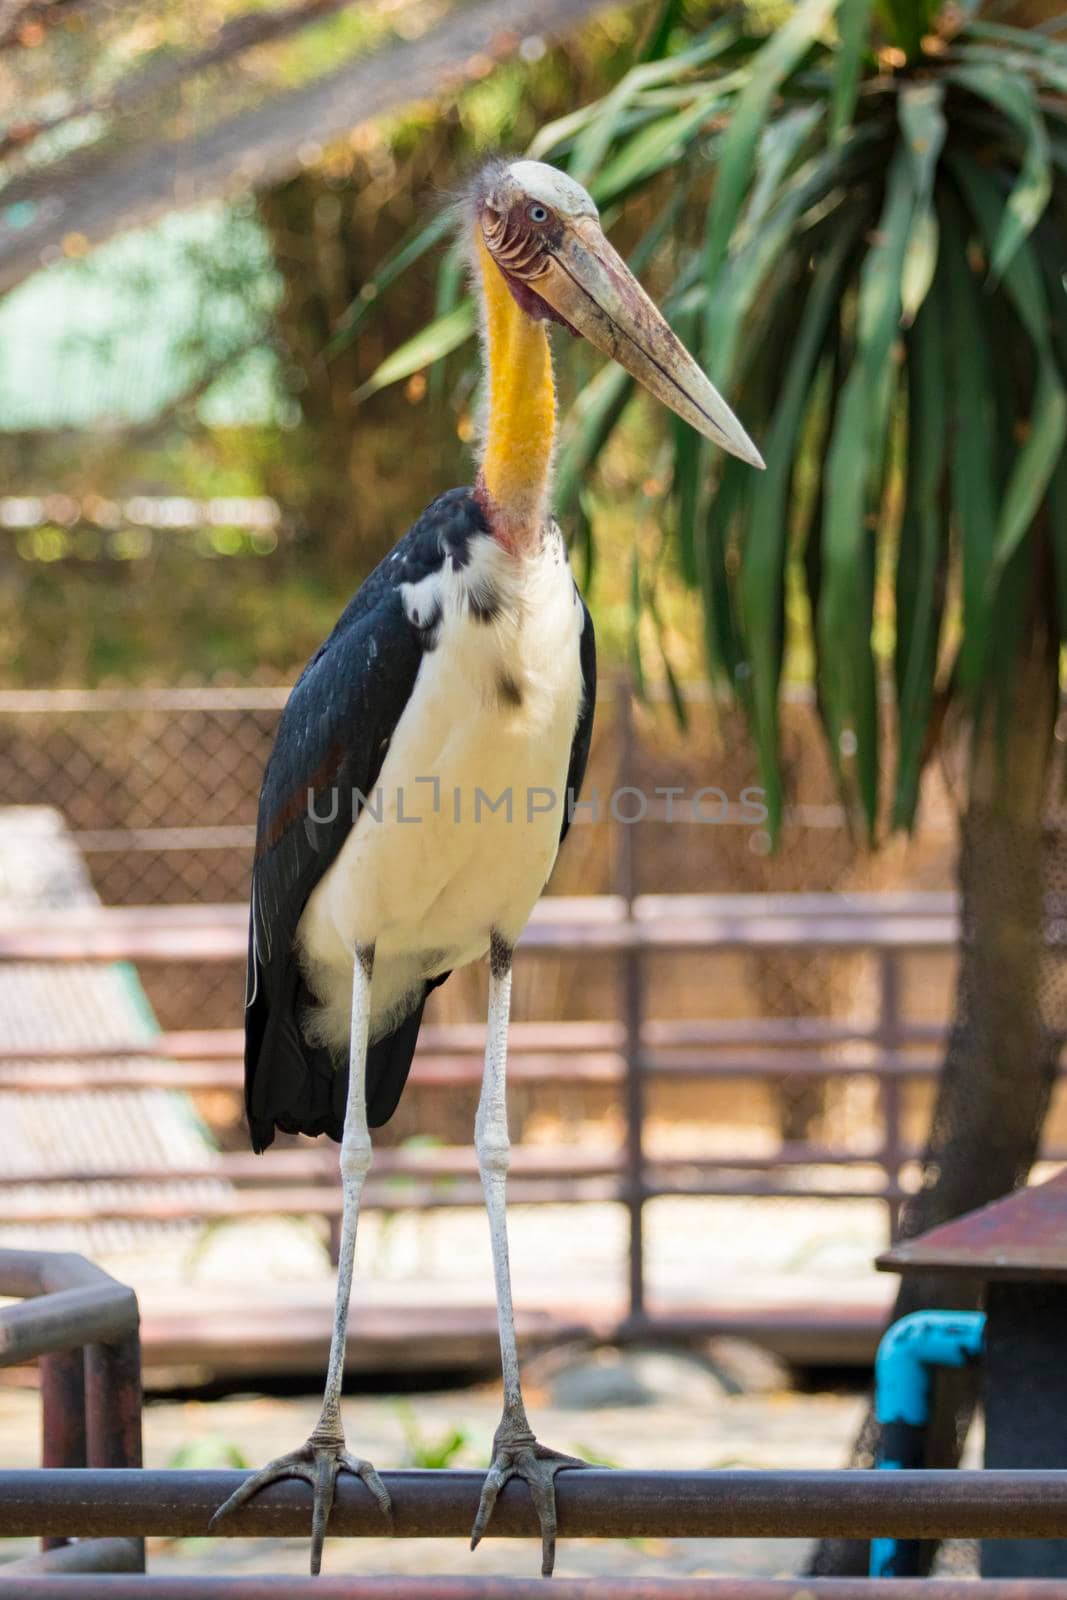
x=593 y=1505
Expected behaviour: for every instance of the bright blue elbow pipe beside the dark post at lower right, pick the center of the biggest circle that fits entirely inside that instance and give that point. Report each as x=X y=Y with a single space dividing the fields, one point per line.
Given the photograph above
x=903 y=1386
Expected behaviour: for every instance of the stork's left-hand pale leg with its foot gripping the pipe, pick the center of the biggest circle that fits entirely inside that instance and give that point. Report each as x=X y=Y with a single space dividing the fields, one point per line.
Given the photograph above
x=324 y=1455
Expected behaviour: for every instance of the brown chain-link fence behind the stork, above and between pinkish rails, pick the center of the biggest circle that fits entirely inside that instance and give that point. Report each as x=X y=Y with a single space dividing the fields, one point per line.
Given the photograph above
x=159 y=790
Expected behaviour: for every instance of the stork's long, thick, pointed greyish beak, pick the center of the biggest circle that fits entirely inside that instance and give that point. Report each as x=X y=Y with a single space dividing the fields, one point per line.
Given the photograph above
x=589 y=284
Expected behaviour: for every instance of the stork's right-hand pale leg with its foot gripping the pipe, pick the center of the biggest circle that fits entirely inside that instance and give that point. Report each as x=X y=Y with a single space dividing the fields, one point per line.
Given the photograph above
x=516 y=1452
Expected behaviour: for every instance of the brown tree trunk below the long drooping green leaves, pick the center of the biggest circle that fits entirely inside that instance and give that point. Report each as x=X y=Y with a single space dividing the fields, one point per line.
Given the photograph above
x=1001 y=1062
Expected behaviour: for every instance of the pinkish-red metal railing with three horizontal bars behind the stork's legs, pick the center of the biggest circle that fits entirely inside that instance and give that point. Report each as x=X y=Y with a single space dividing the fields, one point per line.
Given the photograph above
x=639 y=1052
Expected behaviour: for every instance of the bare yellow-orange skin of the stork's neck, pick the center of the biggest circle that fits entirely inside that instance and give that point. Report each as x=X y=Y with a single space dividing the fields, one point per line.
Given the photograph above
x=518 y=455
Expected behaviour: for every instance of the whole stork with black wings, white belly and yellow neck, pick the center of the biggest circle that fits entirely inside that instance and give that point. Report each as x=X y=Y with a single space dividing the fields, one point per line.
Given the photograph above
x=462 y=671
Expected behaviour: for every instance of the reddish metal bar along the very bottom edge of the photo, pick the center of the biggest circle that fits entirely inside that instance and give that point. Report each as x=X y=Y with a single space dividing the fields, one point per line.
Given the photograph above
x=358 y=1588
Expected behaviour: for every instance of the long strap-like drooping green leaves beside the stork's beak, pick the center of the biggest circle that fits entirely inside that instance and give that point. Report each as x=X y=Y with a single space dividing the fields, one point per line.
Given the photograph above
x=858 y=217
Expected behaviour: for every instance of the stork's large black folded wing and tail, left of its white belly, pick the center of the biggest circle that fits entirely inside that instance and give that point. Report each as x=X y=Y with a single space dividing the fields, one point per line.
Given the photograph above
x=332 y=740
